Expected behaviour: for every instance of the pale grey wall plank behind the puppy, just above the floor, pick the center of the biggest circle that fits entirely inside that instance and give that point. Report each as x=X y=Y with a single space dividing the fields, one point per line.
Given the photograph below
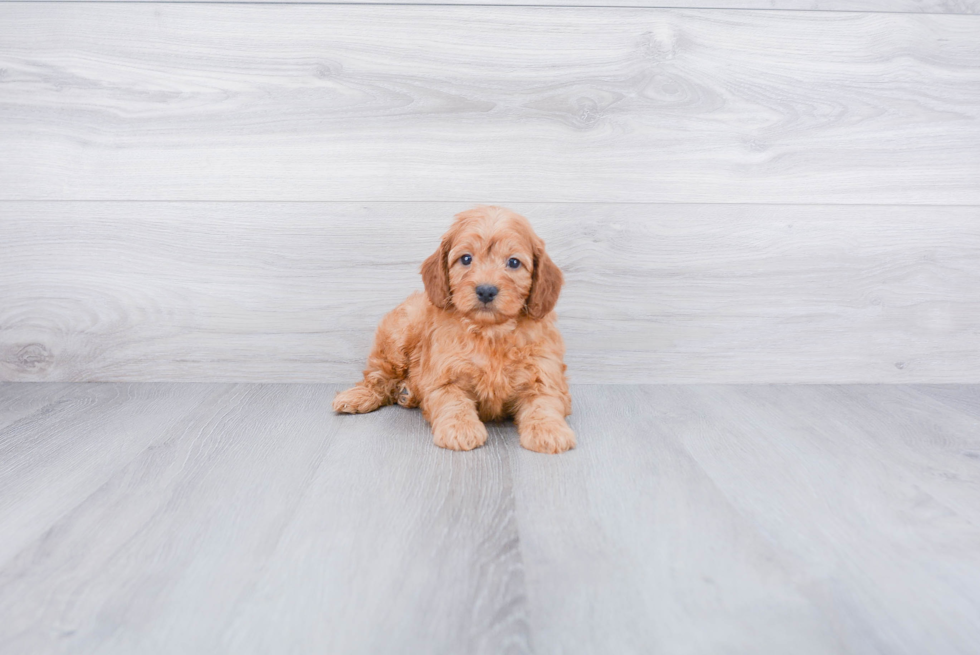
x=675 y=293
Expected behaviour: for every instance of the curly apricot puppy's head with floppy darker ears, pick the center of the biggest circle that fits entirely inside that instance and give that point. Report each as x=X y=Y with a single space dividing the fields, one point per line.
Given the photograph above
x=491 y=266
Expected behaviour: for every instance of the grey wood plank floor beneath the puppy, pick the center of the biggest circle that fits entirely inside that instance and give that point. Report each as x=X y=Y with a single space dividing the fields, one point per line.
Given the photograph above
x=197 y=518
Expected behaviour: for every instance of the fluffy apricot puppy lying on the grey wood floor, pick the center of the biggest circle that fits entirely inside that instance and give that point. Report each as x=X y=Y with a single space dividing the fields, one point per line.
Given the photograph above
x=480 y=344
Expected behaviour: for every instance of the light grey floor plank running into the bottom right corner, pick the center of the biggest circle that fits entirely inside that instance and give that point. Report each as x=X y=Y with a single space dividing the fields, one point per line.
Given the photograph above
x=890 y=566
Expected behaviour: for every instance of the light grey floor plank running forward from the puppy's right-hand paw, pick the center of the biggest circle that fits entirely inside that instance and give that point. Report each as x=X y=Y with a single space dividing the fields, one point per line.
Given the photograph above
x=629 y=547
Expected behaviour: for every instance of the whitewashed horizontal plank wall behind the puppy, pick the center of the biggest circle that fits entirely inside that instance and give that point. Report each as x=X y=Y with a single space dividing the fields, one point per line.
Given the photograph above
x=207 y=191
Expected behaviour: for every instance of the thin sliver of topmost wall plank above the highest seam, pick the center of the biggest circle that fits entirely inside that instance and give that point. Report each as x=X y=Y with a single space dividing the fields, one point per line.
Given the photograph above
x=901 y=6
